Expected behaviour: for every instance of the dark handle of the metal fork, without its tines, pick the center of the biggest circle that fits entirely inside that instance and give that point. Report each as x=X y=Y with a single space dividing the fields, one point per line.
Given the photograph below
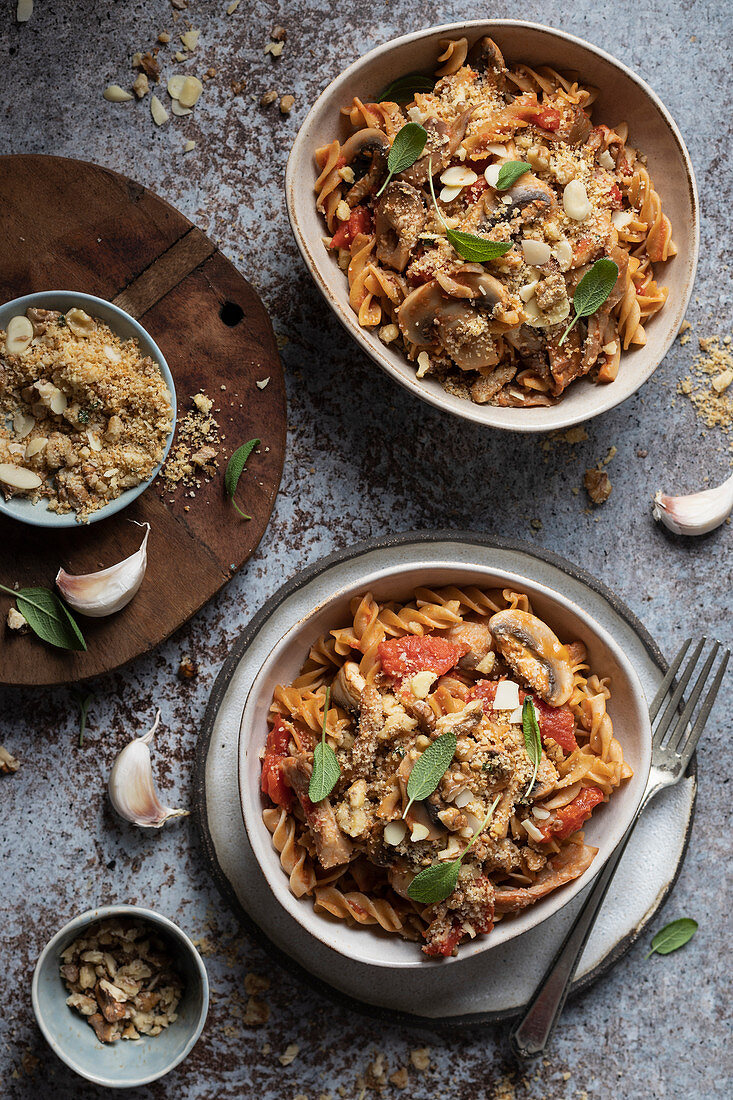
x=530 y=1037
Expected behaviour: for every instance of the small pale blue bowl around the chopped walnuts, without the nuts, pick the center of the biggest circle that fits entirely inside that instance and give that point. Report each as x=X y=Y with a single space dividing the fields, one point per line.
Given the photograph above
x=127 y=1063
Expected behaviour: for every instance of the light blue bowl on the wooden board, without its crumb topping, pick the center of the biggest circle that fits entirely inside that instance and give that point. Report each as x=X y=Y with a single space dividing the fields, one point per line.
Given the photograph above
x=126 y=327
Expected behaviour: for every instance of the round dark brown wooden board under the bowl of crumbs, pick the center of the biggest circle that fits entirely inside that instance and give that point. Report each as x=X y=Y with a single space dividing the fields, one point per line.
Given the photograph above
x=68 y=225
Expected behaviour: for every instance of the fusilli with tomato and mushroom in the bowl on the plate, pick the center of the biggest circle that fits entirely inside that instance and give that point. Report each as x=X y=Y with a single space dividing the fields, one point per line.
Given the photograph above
x=401 y=676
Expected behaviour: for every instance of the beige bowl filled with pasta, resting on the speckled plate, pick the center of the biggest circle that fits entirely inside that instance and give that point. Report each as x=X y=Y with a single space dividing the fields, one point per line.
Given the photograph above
x=437 y=760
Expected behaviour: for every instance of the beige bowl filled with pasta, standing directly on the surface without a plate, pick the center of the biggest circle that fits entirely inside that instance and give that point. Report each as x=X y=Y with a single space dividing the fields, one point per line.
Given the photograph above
x=504 y=217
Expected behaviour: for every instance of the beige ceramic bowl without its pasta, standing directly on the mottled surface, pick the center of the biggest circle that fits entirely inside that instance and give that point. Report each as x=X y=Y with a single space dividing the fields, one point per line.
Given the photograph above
x=622 y=96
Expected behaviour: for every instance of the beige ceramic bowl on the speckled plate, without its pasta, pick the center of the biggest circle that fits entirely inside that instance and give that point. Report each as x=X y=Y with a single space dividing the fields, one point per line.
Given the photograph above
x=628 y=709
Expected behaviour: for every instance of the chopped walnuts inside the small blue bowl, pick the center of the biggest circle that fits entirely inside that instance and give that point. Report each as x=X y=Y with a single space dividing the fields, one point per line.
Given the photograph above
x=104 y=985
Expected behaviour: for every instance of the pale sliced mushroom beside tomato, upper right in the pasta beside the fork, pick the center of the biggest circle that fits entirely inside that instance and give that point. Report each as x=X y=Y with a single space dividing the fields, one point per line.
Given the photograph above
x=535 y=653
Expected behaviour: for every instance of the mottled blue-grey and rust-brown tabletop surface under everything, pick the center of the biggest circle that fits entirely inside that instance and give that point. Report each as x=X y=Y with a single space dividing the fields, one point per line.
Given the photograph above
x=364 y=459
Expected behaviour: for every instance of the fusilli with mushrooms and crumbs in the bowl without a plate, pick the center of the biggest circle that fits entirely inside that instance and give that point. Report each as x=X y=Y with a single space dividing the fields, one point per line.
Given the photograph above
x=494 y=332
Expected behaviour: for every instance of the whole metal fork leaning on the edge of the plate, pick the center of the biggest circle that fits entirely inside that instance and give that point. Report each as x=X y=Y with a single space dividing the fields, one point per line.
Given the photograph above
x=671 y=755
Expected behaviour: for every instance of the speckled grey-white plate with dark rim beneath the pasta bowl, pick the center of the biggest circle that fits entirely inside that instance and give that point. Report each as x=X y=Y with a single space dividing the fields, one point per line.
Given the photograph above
x=497 y=983
